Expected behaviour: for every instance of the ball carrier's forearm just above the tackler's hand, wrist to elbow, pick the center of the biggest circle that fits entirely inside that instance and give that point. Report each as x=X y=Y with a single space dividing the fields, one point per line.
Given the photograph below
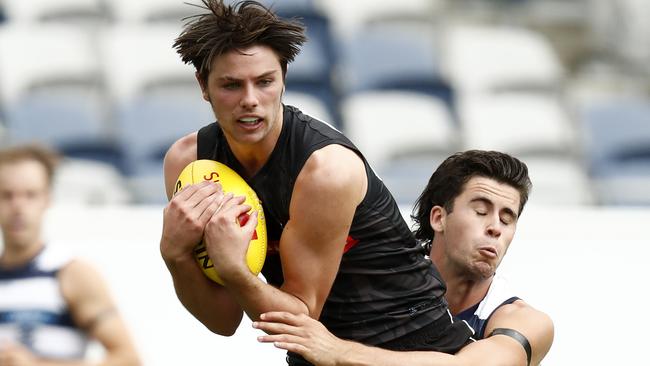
x=257 y=297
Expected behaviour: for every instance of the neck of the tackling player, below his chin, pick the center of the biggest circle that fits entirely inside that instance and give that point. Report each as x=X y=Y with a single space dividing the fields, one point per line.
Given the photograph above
x=465 y=291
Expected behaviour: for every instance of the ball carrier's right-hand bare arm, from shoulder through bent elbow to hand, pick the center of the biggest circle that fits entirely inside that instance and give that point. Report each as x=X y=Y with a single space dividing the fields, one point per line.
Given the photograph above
x=327 y=191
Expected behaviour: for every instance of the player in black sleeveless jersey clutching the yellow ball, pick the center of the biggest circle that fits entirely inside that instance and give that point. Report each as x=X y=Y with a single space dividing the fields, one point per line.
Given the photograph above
x=339 y=249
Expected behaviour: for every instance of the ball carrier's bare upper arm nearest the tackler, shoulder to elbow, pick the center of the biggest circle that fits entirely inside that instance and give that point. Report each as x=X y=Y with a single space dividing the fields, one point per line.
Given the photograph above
x=323 y=204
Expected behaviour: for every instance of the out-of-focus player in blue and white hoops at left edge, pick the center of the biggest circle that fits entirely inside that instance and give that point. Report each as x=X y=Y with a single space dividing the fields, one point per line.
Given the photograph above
x=50 y=303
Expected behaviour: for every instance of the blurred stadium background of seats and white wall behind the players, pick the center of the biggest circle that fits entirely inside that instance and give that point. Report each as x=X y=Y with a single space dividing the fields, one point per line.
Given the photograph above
x=562 y=84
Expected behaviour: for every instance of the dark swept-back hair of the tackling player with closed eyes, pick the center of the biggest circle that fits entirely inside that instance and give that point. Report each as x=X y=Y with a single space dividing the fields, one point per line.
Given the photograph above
x=448 y=181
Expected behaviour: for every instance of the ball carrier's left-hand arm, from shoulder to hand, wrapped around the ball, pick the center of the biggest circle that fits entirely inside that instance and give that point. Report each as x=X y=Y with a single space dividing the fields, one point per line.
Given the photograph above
x=184 y=222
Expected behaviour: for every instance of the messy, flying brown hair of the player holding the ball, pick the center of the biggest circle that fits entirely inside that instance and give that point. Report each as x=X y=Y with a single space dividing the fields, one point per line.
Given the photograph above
x=235 y=27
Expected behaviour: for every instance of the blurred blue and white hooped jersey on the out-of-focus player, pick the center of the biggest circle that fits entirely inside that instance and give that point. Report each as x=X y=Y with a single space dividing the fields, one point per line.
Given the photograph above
x=33 y=311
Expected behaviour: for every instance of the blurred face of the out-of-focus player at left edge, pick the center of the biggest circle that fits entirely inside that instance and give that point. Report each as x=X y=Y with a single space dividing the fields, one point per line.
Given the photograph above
x=24 y=198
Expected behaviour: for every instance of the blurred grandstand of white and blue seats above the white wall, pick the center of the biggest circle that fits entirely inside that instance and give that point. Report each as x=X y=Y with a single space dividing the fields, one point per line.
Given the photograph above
x=558 y=83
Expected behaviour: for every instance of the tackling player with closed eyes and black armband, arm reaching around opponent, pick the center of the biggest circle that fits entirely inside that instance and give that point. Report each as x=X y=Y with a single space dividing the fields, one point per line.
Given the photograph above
x=467 y=216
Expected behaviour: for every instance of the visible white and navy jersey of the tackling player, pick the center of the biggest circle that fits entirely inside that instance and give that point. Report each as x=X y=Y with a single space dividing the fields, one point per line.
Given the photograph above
x=477 y=316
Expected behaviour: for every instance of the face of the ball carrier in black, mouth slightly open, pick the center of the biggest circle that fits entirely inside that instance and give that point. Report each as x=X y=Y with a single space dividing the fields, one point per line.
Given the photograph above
x=245 y=89
